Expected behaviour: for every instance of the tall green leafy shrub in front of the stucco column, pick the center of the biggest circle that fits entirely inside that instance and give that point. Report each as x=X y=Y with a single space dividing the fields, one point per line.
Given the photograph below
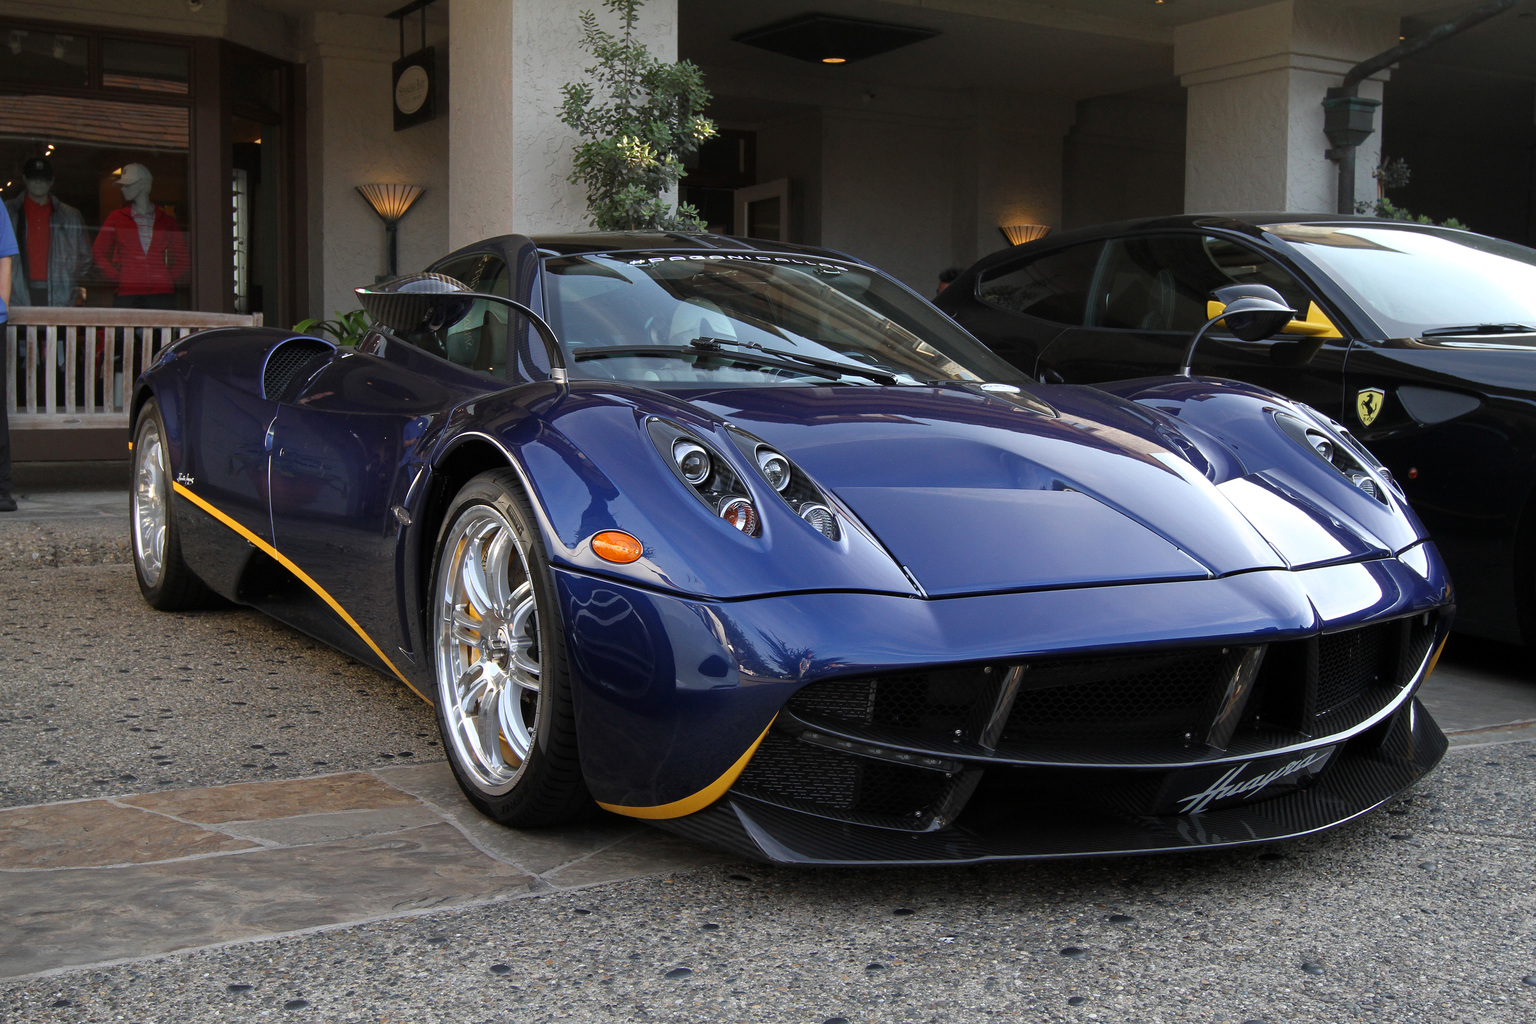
x=640 y=121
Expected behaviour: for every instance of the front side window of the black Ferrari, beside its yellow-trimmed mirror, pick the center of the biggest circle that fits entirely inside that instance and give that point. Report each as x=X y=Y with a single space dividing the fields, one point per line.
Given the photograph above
x=1164 y=282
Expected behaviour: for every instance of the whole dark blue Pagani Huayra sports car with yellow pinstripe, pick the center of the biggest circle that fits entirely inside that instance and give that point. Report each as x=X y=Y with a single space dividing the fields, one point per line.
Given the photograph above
x=750 y=541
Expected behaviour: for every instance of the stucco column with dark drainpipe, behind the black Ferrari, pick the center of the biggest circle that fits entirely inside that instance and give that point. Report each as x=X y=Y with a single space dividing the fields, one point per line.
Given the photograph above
x=1257 y=81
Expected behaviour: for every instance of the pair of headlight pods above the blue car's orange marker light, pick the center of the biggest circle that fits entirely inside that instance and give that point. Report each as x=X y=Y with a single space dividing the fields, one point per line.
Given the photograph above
x=720 y=487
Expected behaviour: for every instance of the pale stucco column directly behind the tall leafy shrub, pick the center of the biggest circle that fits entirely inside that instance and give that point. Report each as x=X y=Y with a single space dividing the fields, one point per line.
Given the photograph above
x=509 y=154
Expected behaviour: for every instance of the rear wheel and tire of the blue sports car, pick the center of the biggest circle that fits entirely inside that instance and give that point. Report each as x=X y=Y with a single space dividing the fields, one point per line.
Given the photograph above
x=164 y=576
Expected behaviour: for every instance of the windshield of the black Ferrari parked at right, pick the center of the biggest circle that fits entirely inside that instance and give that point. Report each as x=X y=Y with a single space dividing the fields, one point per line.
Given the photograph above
x=1415 y=279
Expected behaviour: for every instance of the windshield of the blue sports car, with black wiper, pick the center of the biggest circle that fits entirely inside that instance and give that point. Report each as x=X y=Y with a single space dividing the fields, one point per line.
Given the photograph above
x=753 y=319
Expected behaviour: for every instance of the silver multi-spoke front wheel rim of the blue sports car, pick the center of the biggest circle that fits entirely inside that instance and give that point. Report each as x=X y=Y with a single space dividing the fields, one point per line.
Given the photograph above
x=488 y=632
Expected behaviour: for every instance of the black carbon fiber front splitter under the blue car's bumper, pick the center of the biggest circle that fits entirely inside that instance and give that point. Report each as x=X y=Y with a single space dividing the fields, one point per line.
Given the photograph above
x=1369 y=771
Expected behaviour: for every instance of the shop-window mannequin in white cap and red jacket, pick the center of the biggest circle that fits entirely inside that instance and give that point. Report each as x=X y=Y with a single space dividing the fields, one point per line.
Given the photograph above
x=142 y=248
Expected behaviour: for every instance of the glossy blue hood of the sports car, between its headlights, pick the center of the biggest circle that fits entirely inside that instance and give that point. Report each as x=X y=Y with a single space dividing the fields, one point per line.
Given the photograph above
x=975 y=492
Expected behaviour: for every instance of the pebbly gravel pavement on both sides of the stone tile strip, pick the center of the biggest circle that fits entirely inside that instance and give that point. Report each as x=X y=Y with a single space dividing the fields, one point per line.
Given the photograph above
x=1426 y=913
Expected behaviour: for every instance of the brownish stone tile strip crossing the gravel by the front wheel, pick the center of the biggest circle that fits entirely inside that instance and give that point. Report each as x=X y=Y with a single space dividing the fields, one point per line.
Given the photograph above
x=102 y=880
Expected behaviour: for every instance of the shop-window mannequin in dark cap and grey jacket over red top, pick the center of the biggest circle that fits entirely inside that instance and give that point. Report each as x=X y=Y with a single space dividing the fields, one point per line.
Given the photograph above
x=56 y=251
